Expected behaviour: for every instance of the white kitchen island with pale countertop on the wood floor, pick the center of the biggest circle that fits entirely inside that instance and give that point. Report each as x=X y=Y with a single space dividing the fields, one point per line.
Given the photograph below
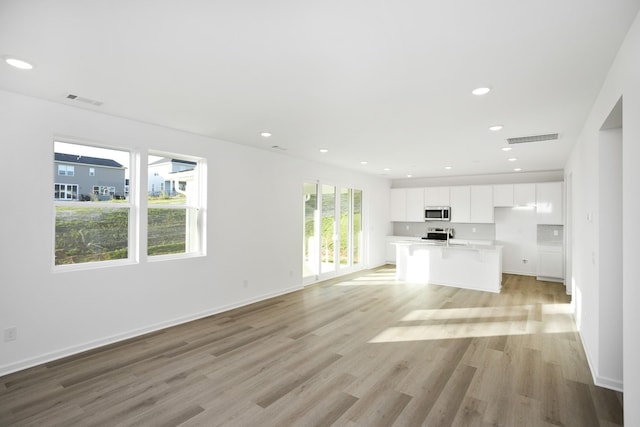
x=469 y=266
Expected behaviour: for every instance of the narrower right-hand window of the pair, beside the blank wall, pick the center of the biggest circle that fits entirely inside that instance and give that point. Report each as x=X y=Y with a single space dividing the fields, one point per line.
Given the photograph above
x=173 y=213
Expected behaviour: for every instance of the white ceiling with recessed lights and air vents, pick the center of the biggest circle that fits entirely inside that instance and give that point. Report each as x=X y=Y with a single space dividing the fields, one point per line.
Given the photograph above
x=386 y=81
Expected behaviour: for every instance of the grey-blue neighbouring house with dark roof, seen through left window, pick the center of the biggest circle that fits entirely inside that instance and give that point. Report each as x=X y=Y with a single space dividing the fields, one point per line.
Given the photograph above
x=86 y=178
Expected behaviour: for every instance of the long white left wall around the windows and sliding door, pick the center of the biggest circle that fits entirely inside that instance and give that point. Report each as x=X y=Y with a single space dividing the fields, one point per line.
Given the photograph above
x=254 y=233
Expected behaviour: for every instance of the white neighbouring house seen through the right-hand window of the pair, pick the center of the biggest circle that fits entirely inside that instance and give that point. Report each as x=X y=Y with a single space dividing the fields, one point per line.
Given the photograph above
x=170 y=176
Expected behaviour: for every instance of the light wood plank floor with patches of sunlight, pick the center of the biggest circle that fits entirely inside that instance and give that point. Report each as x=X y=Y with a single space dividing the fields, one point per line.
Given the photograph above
x=359 y=351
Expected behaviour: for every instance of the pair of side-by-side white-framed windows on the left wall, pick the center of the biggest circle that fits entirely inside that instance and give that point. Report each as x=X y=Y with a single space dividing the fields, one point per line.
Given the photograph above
x=98 y=222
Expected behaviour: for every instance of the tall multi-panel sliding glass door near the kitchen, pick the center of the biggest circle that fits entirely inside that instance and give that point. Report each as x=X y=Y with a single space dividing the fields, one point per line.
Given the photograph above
x=332 y=230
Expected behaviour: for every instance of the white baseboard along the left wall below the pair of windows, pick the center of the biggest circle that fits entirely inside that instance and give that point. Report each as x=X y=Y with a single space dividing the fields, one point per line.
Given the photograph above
x=69 y=351
